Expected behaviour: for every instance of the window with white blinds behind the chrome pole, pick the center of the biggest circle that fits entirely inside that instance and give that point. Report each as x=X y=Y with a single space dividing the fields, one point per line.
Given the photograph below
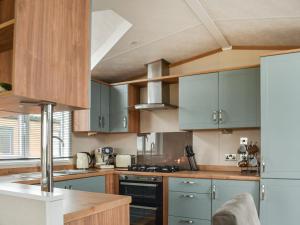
x=20 y=136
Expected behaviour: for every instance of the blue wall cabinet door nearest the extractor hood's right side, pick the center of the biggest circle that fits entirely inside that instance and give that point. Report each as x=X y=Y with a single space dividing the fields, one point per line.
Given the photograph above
x=198 y=101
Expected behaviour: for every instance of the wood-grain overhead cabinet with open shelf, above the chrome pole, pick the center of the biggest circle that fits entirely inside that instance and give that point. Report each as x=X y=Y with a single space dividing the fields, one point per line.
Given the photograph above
x=44 y=53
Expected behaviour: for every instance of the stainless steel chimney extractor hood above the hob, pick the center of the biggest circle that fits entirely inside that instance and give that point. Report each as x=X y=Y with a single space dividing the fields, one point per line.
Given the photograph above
x=158 y=91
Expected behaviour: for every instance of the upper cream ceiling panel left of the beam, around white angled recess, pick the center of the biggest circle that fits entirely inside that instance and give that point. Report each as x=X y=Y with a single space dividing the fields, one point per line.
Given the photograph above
x=152 y=20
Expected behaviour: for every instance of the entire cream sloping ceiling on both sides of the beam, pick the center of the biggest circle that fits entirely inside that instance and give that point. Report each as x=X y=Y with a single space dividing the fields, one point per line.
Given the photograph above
x=169 y=29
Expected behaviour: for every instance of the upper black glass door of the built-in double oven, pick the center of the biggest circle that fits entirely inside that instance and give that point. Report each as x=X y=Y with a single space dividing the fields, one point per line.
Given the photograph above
x=142 y=193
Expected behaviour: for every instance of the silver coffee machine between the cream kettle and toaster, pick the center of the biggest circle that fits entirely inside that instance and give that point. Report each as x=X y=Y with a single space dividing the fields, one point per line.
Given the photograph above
x=104 y=158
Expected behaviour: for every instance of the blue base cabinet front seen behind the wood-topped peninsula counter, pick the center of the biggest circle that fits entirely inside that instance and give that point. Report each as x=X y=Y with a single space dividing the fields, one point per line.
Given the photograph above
x=89 y=184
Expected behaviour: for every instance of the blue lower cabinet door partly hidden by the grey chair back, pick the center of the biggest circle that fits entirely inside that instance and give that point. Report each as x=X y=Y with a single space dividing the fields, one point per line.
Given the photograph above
x=226 y=190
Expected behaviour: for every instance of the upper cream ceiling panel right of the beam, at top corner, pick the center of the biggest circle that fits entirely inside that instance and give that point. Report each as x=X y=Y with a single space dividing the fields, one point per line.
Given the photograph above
x=245 y=9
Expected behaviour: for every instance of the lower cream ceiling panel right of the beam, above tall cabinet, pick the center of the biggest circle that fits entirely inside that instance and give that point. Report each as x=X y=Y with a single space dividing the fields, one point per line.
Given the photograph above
x=268 y=32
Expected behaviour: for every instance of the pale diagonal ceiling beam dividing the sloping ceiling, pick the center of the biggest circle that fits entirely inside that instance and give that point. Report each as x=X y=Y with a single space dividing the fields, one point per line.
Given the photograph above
x=201 y=13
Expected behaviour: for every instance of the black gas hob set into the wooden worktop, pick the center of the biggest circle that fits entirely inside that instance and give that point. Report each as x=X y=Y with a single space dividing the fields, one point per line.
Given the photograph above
x=153 y=168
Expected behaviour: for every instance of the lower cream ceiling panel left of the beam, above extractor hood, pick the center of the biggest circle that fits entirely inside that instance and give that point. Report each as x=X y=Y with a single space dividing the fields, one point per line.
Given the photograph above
x=174 y=48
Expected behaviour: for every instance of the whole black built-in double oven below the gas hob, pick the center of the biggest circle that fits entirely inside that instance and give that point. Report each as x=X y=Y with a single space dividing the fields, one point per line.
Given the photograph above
x=147 y=198
